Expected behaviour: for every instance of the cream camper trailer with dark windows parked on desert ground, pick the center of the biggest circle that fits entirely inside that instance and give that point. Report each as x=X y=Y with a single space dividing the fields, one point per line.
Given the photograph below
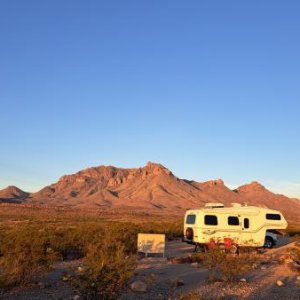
x=232 y=226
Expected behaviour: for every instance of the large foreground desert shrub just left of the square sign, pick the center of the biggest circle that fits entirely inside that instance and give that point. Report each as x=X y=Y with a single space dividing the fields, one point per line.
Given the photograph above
x=107 y=269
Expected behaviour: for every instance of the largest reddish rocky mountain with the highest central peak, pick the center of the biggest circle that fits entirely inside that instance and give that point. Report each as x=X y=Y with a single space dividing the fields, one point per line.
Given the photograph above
x=152 y=186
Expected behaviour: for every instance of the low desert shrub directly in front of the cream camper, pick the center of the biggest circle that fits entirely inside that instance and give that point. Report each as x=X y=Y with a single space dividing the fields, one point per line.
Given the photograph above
x=225 y=266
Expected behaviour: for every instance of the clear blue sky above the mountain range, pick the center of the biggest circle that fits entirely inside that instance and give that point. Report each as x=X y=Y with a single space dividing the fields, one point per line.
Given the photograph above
x=210 y=89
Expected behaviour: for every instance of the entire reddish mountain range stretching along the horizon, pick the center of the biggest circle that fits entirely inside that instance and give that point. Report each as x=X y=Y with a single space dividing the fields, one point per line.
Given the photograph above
x=152 y=187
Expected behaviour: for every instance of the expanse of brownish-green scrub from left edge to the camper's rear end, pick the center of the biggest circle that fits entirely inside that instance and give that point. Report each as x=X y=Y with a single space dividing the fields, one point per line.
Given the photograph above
x=27 y=248
